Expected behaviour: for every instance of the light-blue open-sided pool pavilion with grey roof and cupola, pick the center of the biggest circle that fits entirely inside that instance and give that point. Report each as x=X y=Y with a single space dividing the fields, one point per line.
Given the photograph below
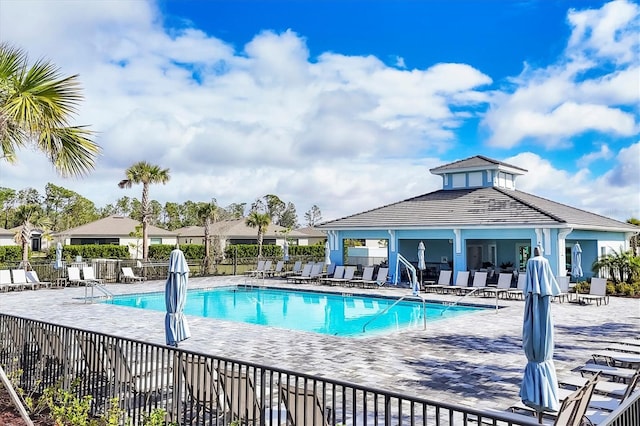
x=479 y=218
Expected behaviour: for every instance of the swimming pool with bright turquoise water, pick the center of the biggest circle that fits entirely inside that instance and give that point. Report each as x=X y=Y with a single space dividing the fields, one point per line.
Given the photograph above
x=326 y=313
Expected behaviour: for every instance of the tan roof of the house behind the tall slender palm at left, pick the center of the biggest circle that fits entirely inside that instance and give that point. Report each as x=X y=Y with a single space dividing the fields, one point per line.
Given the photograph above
x=113 y=226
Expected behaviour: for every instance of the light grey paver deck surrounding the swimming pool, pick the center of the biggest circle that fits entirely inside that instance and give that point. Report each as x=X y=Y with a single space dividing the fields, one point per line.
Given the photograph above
x=474 y=360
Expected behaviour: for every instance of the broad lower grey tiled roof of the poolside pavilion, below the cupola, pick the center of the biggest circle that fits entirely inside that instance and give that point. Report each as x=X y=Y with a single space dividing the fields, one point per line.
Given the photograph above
x=489 y=207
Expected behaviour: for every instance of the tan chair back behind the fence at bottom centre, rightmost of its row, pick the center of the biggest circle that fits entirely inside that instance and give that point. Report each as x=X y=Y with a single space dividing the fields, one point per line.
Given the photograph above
x=303 y=406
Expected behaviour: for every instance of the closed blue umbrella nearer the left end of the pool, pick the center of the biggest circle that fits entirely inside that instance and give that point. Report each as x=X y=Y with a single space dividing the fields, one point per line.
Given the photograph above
x=176 y=327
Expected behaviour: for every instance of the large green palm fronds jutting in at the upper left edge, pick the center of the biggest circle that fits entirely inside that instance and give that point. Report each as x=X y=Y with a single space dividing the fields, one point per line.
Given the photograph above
x=36 y=105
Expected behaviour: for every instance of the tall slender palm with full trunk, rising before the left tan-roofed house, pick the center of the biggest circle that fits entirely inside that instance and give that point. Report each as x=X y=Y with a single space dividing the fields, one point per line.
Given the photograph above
x=146 y=174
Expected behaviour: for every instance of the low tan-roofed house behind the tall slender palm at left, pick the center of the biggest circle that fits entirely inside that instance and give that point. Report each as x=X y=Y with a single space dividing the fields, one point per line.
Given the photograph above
x=116 y=230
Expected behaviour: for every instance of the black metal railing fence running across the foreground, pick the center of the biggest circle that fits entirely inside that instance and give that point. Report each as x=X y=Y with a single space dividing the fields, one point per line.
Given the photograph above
x=199 y=389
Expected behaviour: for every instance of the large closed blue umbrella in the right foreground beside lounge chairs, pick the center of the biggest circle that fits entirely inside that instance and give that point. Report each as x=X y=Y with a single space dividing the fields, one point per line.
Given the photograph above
x=539 y=389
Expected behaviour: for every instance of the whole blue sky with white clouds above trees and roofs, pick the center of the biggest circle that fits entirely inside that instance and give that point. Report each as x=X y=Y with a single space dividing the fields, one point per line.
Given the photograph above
x=345 y=104
